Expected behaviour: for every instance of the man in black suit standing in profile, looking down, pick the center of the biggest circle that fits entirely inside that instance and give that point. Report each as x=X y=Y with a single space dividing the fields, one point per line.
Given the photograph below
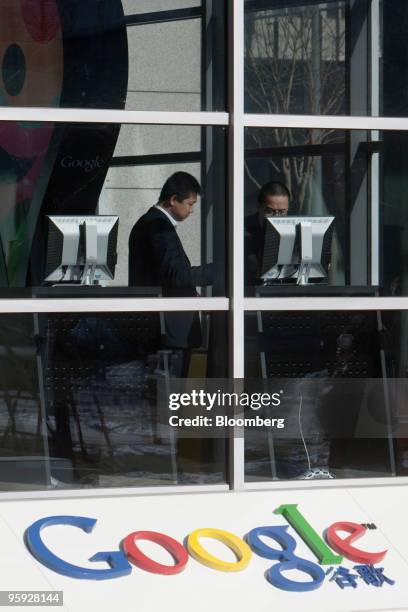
x=157 y=258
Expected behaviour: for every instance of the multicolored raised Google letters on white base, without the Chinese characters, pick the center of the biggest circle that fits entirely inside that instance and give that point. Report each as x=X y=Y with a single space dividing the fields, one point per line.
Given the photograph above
x=120 y=561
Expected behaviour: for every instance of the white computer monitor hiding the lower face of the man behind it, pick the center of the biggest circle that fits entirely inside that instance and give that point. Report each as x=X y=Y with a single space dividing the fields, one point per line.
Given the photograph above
x=297 y=249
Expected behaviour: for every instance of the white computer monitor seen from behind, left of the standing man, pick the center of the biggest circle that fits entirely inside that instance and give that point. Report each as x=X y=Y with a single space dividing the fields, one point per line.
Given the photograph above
x=81 y=249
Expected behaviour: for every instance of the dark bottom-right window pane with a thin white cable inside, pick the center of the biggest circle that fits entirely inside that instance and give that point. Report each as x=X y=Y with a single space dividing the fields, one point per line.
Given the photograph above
x=342 y=380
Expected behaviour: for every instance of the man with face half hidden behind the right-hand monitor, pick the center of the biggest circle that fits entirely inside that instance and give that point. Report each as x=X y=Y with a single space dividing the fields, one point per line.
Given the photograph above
x=273 y=200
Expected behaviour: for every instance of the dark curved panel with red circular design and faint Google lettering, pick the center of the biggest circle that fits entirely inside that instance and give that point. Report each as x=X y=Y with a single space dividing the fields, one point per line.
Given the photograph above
x=44 y=164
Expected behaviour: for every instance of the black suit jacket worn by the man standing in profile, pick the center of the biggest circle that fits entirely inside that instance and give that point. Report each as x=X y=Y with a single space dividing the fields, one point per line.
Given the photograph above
x=157 y=259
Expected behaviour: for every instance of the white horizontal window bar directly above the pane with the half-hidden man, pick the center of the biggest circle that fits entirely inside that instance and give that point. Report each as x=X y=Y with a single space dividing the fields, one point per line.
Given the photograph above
x=338 y=122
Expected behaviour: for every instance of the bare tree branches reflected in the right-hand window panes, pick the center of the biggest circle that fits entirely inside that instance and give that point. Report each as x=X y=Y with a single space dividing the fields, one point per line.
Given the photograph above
x=294 y=64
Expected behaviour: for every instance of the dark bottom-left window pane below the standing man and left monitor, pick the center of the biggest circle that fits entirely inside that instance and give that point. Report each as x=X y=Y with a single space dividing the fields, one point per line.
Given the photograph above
x=78 y=400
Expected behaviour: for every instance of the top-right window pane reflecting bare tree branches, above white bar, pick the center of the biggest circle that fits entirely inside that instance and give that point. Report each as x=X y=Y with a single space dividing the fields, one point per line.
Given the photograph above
x=326 y=58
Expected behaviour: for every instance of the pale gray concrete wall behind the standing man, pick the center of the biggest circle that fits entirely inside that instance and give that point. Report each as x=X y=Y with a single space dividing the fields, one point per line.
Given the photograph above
x=165 y=75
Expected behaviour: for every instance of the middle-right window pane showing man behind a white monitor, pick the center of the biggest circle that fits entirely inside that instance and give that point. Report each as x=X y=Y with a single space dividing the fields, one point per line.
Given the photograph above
x=347 y=189
